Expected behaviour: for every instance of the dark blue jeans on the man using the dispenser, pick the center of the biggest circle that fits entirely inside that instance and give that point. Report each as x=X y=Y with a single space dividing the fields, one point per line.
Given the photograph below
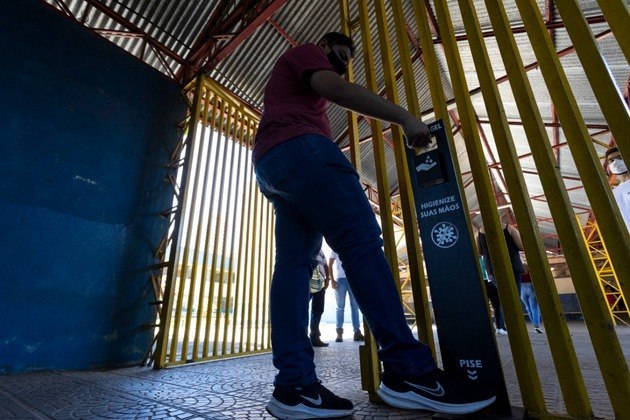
x=316 y=193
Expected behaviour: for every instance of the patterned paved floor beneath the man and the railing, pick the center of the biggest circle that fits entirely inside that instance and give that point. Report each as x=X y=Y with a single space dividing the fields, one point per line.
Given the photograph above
x=240 y=388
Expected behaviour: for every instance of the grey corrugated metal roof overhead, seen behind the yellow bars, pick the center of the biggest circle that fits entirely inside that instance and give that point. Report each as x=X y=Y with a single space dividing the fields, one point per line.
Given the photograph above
x=177 y=25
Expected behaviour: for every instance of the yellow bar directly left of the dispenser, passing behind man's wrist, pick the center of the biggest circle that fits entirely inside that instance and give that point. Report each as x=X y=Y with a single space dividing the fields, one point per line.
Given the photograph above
x=412 y=239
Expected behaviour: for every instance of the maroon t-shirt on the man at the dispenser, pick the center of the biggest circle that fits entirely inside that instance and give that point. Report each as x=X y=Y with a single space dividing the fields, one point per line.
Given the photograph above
x=292 y=108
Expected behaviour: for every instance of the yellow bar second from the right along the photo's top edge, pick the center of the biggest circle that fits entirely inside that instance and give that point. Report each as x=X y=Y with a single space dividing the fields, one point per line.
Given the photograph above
x=608 y=96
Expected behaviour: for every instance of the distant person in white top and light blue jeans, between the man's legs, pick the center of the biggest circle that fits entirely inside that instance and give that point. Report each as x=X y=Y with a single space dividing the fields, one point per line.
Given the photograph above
x=339 y=283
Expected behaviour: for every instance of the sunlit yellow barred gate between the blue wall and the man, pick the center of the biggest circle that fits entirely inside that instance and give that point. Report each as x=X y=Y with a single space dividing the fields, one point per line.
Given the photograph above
x=214 y=301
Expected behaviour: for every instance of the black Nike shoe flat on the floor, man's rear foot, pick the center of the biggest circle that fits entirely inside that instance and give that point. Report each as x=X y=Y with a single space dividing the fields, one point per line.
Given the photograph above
x=307 y=402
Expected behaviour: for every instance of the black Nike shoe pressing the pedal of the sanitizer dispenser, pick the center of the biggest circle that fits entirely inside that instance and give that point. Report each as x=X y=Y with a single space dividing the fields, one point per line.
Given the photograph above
x=435 y=391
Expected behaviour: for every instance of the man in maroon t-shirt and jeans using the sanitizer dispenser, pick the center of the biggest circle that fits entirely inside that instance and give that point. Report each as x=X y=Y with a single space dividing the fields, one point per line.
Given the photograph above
x=316 y=194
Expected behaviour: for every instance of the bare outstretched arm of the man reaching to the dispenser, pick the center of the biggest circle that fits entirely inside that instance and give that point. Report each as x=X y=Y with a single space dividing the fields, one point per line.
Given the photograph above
x=363 y=101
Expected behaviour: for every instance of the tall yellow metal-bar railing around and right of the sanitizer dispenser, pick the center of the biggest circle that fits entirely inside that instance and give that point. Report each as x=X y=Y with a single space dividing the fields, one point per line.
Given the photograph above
x=434 y=26
